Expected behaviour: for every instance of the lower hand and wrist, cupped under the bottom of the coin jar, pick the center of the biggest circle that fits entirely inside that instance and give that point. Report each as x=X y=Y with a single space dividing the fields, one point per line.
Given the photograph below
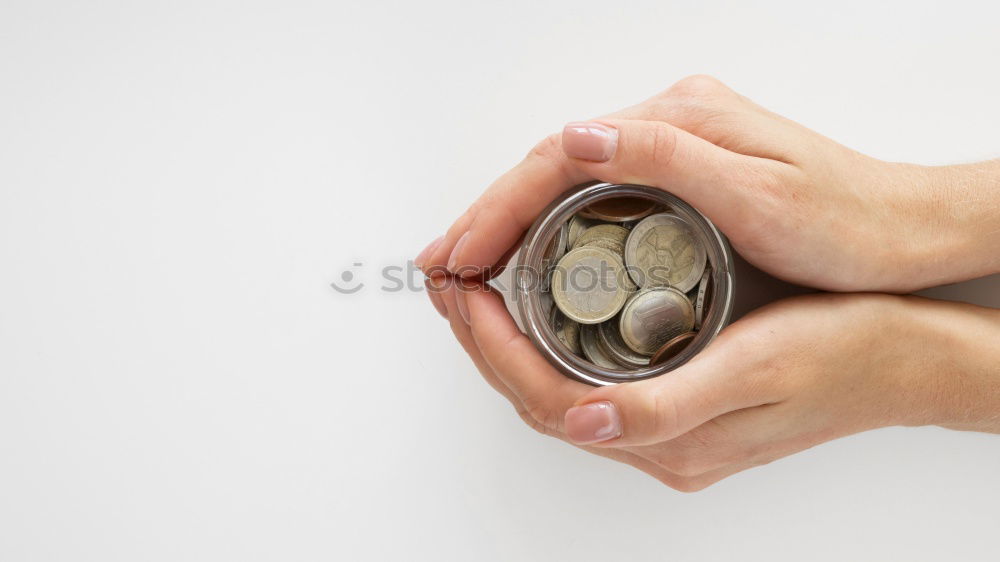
x=785 y=378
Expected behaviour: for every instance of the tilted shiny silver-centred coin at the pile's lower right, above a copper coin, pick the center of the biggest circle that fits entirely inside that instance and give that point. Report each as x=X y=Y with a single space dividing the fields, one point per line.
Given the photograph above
x=653 y=316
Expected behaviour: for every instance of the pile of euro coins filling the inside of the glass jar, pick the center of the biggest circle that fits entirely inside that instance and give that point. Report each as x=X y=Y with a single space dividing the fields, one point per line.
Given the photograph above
x=629 y=283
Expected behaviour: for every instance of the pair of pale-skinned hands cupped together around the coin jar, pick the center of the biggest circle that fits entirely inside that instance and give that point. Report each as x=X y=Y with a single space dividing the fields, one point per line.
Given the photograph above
x=790 y=375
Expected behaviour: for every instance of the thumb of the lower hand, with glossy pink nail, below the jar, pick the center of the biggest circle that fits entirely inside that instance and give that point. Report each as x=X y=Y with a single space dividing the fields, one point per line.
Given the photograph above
x=666 y=407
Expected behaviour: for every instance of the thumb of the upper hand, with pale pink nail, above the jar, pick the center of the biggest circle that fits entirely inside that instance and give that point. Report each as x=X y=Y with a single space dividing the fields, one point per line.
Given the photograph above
x=720 y=183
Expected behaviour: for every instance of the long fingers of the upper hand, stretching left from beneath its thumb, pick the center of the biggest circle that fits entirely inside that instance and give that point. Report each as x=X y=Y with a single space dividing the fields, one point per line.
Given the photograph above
x=489 y=228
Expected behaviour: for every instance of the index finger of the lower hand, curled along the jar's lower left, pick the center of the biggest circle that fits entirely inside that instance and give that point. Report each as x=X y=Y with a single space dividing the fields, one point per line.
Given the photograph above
x=545 y=393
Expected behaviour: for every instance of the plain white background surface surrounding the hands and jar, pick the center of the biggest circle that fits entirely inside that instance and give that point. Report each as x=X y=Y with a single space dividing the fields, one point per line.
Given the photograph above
x=181 y=181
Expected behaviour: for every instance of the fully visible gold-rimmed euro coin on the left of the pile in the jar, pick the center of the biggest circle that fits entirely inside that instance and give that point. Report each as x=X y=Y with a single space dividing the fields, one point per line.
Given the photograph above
x=589 y=285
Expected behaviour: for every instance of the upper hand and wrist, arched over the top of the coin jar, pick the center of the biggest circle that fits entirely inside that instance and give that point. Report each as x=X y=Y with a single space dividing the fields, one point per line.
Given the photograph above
x=792 y=202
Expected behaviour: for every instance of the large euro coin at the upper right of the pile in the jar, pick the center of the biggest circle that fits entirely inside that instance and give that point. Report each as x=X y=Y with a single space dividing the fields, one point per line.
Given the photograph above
x=662 y=251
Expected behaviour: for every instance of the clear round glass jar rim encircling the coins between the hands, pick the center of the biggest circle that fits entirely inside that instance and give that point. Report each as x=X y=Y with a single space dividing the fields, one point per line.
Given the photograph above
x=522 y=280
